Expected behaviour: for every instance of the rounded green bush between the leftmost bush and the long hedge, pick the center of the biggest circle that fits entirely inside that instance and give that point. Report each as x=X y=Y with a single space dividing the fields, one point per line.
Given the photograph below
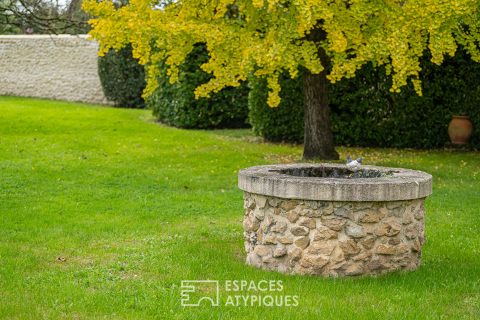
x=175 y=104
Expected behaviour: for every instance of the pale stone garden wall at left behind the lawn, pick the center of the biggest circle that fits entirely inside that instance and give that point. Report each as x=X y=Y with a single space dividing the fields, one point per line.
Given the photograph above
x=62 y=67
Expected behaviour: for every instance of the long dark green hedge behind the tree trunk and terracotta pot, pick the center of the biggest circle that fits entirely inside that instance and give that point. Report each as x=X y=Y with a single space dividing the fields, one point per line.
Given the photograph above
x=365 y=112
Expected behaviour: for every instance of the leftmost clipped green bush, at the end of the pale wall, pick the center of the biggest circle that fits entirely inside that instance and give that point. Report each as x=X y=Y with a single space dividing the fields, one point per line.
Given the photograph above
x=122 y=78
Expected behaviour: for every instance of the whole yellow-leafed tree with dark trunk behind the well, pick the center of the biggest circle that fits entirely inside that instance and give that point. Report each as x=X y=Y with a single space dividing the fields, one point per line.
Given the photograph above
x=269 y=37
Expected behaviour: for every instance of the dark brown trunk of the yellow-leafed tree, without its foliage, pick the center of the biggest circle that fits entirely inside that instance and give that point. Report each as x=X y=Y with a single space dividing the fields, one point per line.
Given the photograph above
x=318 y=137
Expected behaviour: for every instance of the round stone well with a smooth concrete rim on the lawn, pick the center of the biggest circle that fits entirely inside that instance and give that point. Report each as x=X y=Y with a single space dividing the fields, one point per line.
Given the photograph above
x=325 y=219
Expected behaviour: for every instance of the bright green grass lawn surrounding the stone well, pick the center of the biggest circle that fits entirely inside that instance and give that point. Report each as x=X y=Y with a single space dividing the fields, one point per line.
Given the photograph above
x=103 y=213
